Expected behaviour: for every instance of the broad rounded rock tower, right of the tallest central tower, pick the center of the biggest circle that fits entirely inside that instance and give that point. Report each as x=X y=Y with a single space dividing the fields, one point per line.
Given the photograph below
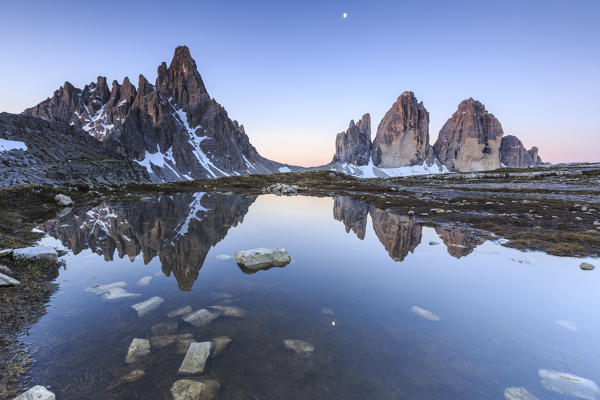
x=470 y=139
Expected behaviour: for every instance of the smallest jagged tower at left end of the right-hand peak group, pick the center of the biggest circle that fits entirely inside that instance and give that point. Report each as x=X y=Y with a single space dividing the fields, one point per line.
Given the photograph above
x=354 y=145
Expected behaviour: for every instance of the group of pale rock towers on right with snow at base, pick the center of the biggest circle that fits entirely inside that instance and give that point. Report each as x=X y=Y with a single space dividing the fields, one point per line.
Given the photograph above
x=471 y=140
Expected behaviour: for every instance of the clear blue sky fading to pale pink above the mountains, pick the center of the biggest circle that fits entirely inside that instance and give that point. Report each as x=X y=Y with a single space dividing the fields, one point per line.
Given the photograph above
x=296 y=72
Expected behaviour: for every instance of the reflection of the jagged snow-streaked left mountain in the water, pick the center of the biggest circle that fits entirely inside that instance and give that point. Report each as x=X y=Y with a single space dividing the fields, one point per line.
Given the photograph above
x=179 y=229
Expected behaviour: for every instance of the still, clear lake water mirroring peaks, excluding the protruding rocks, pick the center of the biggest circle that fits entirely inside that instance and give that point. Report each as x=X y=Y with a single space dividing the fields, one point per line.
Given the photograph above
x=498 y=308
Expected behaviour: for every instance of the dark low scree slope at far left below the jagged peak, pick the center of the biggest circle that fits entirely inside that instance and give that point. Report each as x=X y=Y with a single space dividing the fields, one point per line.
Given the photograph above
x=58 y=152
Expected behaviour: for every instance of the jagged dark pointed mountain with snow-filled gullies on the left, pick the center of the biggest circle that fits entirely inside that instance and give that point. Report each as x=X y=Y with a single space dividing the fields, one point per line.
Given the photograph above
x=173 y=128
